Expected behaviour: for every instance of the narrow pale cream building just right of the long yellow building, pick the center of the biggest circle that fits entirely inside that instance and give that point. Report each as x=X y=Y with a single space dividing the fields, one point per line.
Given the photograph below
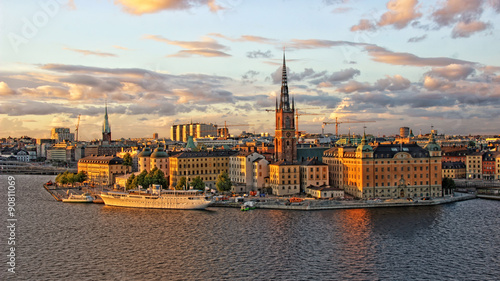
x=241 y=170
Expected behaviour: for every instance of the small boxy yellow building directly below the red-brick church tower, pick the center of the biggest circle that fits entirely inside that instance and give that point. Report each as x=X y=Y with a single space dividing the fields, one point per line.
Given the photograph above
x=284 y=178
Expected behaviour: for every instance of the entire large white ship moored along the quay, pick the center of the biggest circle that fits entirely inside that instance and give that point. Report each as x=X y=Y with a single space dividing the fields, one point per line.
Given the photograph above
x=157 y=199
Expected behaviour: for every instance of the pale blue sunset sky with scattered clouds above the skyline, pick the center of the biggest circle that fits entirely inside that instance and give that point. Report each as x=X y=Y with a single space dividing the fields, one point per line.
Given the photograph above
x=399 y=63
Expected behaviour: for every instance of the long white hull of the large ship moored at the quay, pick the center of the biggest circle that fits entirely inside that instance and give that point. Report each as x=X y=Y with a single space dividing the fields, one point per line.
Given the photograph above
x=155 y=202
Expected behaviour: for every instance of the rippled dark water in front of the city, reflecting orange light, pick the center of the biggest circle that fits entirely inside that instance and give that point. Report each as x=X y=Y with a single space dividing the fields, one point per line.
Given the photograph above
x=58 y=241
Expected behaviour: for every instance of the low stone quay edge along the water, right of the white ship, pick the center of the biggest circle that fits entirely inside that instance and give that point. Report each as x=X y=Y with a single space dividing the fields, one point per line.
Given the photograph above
x=333 y=205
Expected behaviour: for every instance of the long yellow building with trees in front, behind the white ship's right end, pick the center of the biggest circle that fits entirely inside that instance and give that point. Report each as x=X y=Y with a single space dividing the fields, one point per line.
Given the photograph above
x=206 y=164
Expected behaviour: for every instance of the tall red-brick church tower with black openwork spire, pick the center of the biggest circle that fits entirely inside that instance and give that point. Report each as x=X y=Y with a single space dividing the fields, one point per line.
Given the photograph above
x=285 y=142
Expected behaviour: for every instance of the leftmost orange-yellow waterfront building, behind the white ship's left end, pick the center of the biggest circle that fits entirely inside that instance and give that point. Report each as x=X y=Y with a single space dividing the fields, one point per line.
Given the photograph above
x=102 y=169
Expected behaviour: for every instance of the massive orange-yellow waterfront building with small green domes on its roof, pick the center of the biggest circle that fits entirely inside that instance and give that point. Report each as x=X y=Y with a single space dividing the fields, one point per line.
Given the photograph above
x=386 y=170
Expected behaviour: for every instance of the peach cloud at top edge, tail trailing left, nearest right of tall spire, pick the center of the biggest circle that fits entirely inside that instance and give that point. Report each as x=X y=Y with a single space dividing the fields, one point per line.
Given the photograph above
x=399 y=14
